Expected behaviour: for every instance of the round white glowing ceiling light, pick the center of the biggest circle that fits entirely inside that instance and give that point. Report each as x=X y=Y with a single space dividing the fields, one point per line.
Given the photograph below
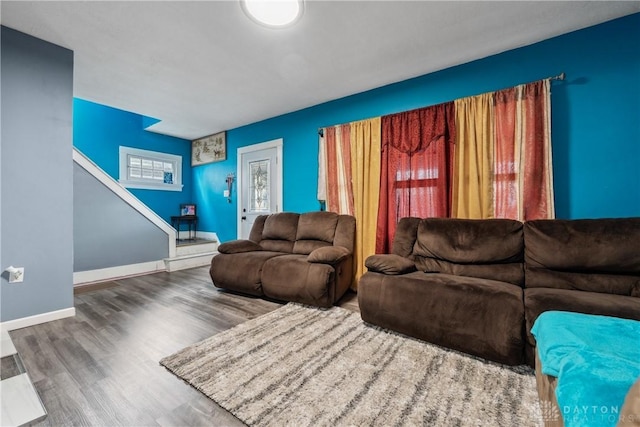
x=273 y=13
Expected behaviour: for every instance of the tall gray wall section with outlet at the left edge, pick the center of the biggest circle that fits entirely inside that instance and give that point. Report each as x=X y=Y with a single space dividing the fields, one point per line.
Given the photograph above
x=36 y=175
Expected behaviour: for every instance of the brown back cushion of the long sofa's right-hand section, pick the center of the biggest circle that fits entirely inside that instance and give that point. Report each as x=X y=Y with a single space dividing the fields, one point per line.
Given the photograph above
x=593 y=255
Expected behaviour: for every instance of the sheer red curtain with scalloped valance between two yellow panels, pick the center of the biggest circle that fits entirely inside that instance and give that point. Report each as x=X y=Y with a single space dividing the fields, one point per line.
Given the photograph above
x=416 y=167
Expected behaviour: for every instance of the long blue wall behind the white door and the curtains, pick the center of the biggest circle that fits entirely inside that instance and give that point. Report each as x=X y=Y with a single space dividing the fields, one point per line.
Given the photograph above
x=595 y=124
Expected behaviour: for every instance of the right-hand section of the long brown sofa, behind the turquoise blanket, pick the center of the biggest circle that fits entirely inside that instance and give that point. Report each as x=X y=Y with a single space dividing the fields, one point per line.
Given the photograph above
x=586 y=266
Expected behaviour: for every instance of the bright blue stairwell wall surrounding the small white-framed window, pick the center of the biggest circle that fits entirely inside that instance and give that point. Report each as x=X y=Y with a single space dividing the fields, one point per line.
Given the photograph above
x=99 y=131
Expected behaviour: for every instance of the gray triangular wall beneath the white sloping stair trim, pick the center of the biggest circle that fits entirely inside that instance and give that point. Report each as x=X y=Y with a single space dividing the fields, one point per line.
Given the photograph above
x=125 y=236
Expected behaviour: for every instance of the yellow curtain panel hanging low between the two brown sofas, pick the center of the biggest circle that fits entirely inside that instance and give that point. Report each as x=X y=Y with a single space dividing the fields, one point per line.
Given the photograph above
x=365 y=176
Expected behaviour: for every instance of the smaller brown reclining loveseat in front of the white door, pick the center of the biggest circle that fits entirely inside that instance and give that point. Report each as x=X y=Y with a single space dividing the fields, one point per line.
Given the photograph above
x=305 y=258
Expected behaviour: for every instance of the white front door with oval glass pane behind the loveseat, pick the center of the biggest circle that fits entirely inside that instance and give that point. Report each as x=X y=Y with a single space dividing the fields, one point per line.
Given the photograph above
x=259 y=183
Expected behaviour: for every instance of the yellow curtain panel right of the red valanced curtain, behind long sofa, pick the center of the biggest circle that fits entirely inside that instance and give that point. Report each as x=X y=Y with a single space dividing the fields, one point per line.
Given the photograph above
x=472 y=172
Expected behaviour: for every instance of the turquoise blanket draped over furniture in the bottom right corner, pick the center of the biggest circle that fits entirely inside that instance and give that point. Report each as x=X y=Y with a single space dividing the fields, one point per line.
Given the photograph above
x=596 y=360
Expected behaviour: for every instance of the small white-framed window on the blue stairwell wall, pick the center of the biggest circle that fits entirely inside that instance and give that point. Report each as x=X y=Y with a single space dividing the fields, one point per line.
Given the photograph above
x=150 y=170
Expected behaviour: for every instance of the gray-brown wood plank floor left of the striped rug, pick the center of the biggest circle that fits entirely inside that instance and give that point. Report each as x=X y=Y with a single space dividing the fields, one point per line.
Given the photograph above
x=101 y=367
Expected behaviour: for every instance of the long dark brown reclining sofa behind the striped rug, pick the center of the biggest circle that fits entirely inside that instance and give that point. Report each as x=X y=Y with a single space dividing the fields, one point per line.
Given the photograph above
x=478 y=285
